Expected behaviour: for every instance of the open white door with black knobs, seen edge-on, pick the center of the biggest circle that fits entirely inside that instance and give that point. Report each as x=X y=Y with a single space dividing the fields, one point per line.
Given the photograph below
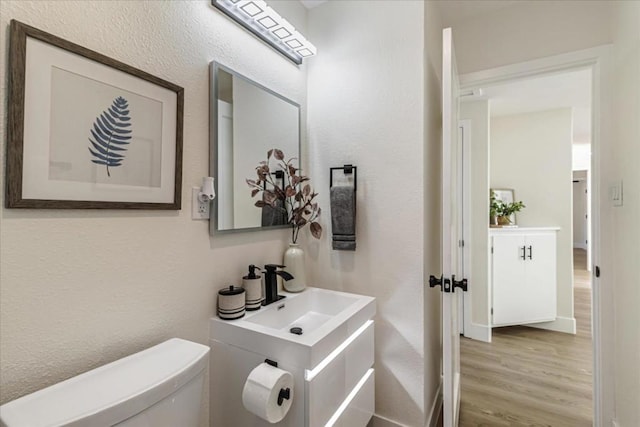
x=449 y=238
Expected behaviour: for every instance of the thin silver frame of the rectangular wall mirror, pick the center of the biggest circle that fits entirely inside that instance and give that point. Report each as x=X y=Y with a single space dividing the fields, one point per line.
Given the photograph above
x=213 y=143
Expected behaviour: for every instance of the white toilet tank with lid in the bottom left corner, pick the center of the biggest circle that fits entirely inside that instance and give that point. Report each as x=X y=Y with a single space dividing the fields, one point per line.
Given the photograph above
x=160 y=386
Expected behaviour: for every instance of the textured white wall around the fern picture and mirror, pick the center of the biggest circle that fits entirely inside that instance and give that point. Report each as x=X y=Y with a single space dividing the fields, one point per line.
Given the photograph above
x=84 y=287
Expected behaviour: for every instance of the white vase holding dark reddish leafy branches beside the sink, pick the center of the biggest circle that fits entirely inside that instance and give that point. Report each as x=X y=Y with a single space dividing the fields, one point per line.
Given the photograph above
x=295 y=199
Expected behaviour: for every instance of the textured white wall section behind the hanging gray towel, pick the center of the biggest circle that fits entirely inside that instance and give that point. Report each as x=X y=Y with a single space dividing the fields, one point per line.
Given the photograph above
x=366 y=107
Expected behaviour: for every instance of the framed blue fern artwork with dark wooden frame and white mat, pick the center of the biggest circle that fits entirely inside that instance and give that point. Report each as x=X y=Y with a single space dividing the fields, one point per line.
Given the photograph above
x=87 y=131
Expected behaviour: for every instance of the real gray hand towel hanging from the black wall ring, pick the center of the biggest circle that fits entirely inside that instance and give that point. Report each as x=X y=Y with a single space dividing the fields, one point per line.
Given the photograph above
x=343 y=217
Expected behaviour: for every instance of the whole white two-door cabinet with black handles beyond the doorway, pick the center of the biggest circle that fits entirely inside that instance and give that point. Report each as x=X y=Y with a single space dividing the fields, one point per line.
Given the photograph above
x=523 y=275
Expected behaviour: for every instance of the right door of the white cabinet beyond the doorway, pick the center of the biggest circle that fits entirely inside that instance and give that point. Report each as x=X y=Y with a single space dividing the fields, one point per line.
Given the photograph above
x=540 y=273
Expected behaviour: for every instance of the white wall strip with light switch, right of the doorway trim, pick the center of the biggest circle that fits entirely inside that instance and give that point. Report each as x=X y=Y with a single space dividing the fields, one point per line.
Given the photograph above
x=625 y=157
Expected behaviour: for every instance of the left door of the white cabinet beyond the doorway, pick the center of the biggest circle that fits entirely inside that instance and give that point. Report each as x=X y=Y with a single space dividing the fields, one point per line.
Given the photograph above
x=508 y=278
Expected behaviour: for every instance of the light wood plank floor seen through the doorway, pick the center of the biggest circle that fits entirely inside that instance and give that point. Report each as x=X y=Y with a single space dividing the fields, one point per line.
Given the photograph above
x=531 y=377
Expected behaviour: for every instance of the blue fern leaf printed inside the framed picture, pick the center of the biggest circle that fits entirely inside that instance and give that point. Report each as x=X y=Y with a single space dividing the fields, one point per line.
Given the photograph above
x=110 y=134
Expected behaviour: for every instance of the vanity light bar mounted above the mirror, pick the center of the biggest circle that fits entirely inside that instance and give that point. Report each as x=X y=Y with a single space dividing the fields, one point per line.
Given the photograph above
x=266 y=24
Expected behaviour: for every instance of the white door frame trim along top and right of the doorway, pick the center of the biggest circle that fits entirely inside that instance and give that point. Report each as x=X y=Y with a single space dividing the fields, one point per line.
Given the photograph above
x=598 y=60
